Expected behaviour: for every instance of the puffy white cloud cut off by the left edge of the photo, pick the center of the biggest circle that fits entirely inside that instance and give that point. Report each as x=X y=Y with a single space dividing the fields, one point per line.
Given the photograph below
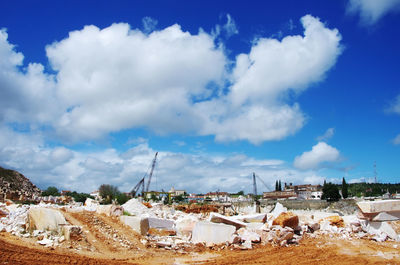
x=26 y=95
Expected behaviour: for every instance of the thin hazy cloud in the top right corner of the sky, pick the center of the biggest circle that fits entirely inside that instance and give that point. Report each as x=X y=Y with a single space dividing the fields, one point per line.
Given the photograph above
x=372 y=10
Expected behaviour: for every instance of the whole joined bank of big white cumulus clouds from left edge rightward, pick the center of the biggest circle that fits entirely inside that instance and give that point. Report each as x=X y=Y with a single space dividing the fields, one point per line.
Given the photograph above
x=167 y=81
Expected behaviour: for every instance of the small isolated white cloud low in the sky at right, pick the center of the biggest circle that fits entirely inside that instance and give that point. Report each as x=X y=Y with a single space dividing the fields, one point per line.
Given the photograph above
x=319 y=154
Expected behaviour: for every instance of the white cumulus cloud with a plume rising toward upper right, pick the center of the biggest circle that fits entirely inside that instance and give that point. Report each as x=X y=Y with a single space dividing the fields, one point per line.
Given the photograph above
x=256 y=108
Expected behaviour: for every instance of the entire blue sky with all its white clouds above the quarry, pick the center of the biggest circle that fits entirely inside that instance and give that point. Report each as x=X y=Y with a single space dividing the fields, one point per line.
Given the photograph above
x=300 y=91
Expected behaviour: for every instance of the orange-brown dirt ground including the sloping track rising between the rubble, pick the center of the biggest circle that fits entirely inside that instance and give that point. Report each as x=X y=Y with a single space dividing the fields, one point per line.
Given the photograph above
x=106 y=241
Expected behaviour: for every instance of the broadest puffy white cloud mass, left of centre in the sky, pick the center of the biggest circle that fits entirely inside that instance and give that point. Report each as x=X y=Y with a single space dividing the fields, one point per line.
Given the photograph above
x=118 y=78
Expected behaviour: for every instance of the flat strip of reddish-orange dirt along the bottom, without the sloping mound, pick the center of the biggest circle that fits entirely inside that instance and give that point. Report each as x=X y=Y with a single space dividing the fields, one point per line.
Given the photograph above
x=311 y=251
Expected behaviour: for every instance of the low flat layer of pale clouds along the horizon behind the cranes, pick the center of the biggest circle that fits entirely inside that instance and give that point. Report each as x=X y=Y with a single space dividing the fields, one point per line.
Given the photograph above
x=85 y=171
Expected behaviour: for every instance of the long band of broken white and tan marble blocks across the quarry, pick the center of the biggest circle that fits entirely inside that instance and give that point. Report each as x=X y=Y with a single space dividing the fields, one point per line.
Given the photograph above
x=163 y=226
